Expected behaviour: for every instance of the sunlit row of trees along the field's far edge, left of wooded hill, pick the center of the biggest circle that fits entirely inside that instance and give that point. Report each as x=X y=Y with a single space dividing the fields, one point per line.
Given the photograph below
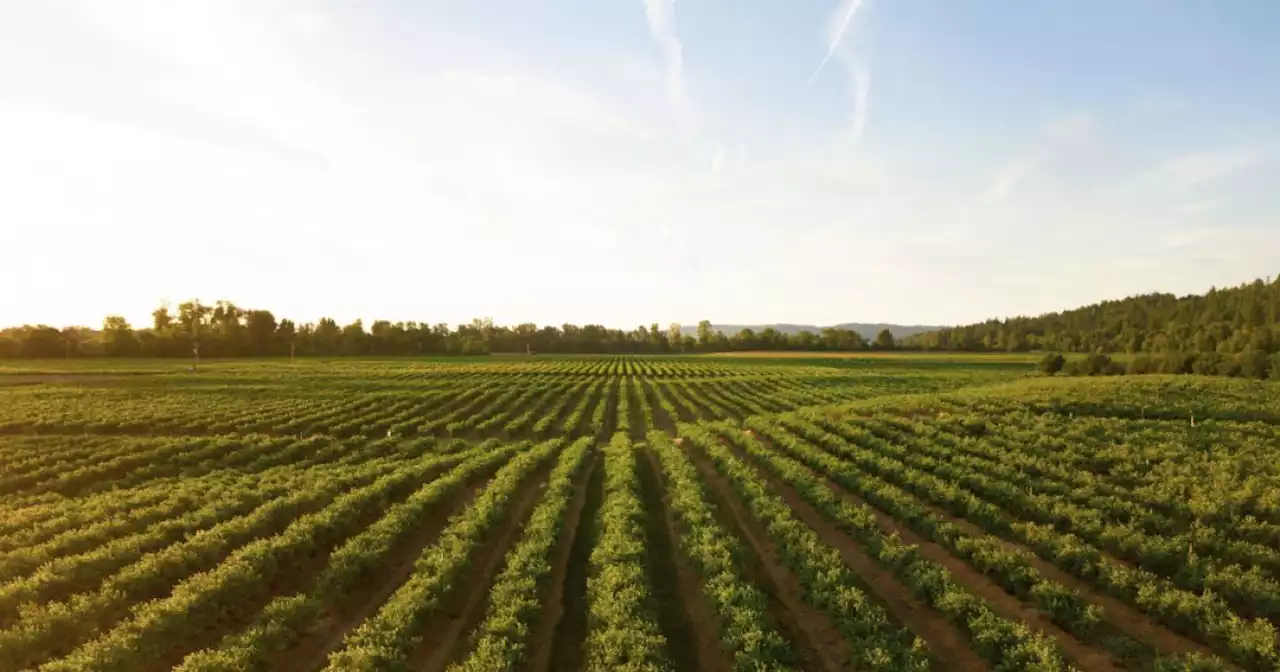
x=225 y=330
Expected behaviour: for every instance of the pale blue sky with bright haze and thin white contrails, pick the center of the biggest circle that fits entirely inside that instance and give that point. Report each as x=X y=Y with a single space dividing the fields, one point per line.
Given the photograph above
x=629 y=162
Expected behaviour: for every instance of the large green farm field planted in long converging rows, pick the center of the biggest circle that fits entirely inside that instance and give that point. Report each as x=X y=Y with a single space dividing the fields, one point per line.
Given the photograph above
x=633 y=513
